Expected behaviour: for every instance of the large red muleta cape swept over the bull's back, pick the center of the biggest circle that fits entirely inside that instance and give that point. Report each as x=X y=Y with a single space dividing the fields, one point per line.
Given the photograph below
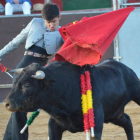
x=87 y=40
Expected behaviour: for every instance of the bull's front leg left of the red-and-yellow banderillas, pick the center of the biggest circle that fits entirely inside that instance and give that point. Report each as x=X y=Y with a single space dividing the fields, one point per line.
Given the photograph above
x=55 y=131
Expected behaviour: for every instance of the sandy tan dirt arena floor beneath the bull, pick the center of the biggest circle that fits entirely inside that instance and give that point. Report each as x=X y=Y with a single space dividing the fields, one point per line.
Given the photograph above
x=39 y=131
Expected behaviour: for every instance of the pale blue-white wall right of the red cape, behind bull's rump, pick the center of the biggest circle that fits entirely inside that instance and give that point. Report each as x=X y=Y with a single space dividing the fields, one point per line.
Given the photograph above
x=129 y=41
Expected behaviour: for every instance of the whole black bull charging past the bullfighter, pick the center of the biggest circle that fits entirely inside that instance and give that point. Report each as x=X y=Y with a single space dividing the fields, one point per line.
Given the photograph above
x=59 y=94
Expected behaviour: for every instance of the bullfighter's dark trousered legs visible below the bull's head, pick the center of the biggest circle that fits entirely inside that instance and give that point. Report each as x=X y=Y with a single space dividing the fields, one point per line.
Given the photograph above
x=13 y=128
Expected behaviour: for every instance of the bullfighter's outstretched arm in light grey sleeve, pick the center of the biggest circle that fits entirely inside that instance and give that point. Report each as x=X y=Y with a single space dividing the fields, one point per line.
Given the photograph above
x=16 y=42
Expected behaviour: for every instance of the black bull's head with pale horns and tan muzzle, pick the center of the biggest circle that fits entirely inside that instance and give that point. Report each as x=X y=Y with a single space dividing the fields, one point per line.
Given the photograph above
x=27 y=87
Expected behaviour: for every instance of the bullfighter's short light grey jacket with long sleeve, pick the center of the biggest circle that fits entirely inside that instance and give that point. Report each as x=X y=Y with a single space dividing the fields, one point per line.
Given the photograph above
x=34 y=32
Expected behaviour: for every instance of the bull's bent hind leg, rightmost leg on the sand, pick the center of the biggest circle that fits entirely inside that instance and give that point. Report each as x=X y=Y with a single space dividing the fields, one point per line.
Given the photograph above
x=125 y=122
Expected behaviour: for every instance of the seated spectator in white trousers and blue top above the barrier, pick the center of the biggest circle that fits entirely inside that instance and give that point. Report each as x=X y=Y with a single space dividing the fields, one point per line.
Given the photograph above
x=12 y=6
